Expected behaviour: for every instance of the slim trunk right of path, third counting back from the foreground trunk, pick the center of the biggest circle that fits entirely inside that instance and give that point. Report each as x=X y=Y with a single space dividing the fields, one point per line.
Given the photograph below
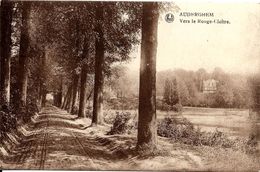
x=83 y=91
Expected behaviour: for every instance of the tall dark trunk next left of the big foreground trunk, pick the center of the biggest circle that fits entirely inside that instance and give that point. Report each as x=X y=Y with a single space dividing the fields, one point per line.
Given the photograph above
x=99 y=65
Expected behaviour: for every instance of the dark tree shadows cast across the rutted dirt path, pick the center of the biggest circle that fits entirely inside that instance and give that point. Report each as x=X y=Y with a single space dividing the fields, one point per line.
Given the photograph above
x=54 y=137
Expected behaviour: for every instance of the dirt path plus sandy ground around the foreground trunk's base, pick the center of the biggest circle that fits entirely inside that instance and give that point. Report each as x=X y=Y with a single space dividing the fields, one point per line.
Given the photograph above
x=57 y=140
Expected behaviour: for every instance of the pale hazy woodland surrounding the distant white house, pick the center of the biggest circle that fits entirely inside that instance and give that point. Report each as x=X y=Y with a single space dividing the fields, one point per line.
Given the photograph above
x=233 y=90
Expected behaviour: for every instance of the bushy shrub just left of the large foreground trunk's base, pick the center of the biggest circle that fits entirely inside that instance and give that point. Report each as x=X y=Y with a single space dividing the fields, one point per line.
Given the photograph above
x=122 y=124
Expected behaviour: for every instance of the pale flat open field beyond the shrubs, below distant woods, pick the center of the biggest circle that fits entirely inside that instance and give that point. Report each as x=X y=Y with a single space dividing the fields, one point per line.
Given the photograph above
x=234 y=122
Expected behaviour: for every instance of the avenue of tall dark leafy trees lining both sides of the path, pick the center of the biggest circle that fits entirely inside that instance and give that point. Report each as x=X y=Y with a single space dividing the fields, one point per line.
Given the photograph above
x=58 y=46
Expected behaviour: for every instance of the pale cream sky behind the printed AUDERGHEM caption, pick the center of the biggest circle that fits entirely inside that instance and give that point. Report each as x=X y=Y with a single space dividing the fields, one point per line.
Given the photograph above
x=234 y=47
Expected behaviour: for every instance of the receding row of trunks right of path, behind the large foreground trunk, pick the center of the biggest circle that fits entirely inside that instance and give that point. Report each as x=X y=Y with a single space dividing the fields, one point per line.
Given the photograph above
x=70 y=98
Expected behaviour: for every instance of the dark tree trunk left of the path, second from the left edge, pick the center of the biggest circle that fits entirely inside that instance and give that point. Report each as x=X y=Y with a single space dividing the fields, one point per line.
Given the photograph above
x=24 y=48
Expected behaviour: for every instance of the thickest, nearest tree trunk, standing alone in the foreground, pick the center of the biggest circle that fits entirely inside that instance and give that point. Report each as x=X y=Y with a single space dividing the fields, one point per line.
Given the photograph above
x=147 y=129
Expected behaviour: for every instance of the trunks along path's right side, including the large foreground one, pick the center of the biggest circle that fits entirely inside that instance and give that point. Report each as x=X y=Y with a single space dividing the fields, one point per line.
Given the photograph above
x=147 y=132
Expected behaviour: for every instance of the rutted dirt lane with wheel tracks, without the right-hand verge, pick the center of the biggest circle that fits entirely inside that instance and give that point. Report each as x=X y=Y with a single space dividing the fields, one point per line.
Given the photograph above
x=51 y=133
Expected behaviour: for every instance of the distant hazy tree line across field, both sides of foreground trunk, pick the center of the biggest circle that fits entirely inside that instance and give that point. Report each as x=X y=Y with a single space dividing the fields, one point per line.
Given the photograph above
x=185 y=88
